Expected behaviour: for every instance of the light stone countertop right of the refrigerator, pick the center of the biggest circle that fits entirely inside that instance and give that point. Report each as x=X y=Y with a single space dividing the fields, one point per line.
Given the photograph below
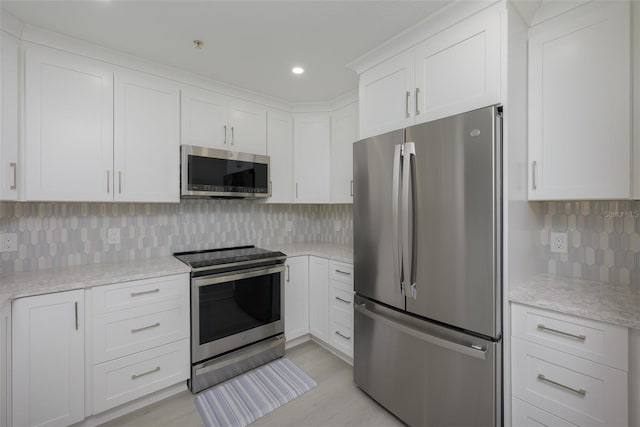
x=617 y=304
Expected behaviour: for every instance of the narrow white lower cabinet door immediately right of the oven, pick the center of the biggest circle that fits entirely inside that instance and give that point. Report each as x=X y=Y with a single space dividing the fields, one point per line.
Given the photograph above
x=296 y=298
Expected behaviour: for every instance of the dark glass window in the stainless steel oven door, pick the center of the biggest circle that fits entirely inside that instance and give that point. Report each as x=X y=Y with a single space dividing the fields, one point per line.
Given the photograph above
x=231 y=307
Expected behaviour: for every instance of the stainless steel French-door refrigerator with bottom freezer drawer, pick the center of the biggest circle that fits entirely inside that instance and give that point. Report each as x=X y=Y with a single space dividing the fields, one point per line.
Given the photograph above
x=427 y=270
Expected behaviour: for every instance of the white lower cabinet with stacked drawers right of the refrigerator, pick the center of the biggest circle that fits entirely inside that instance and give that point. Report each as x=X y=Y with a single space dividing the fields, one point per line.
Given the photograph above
x=567 y=370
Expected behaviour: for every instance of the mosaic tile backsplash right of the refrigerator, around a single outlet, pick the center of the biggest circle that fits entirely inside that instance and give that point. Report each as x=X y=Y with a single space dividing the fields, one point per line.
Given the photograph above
x=603 y=240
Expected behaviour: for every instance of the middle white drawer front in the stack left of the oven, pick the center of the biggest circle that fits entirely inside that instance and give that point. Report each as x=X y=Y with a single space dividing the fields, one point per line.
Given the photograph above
x=125 y=332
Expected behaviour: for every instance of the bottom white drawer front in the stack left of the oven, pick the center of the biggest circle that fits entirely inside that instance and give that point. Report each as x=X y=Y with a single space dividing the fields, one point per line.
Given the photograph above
x=128 y=378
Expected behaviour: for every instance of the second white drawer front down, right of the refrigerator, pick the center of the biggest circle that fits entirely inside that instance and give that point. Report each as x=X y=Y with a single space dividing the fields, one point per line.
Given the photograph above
x=577 y=390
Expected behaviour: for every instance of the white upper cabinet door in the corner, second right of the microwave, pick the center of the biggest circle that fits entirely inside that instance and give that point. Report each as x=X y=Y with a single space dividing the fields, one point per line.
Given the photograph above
x=312 y=139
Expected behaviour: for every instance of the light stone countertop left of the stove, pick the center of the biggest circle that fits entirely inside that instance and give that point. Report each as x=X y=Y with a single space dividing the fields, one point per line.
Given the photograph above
x=47 y=281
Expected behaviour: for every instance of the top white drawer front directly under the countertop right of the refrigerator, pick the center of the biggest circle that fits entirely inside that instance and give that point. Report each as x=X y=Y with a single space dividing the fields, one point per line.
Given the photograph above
x=592 y=340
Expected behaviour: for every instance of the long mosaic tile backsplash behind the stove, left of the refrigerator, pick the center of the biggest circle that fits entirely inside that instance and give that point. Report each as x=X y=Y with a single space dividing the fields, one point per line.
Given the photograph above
x=66 y=234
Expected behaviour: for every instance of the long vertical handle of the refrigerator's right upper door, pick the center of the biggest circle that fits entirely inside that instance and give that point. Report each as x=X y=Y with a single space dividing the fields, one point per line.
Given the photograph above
x=408 y=203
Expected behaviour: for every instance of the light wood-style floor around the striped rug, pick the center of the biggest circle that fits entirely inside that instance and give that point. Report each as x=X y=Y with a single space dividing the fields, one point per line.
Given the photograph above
x=335 y=401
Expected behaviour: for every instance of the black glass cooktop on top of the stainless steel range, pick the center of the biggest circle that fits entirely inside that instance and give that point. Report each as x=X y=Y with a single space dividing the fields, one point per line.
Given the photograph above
x=219 y=257
